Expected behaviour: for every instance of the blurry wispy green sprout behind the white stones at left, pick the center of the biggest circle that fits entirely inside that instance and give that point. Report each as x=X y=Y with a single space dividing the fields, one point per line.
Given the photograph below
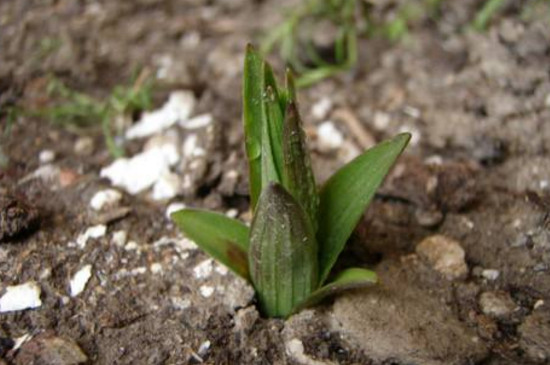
x=78 y=110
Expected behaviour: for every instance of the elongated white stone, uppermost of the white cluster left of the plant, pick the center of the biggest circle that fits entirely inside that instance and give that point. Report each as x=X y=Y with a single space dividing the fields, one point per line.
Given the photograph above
x=179 y=107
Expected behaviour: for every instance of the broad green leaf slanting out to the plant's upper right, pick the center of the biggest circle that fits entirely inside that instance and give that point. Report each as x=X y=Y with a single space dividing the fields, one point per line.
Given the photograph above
x=346 y=195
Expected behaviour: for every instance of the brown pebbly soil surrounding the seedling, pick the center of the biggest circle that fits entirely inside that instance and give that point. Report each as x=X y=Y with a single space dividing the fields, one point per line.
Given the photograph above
x=477 y=174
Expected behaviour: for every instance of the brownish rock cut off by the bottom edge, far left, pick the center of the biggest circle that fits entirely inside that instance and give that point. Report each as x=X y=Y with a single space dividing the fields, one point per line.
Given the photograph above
x=52 y=350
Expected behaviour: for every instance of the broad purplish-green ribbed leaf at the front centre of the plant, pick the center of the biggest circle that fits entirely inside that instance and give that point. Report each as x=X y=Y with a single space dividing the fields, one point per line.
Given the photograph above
x=283 y=253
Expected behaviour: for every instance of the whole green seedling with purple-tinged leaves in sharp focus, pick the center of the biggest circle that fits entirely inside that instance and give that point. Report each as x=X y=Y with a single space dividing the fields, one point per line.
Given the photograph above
x=298 y=231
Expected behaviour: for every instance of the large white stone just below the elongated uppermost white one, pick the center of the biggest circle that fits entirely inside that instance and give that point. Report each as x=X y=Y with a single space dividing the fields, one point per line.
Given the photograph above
x=140 y=172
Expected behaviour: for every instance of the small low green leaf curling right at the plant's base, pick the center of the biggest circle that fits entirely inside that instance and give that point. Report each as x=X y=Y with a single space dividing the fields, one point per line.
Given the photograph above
x=353 y=278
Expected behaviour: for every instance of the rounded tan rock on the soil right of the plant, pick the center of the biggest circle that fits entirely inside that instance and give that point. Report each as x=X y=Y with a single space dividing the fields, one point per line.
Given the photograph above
x=444 y=255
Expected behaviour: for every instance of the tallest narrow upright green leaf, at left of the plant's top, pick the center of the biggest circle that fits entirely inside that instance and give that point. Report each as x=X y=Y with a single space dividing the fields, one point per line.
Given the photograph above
x=254 y=118
